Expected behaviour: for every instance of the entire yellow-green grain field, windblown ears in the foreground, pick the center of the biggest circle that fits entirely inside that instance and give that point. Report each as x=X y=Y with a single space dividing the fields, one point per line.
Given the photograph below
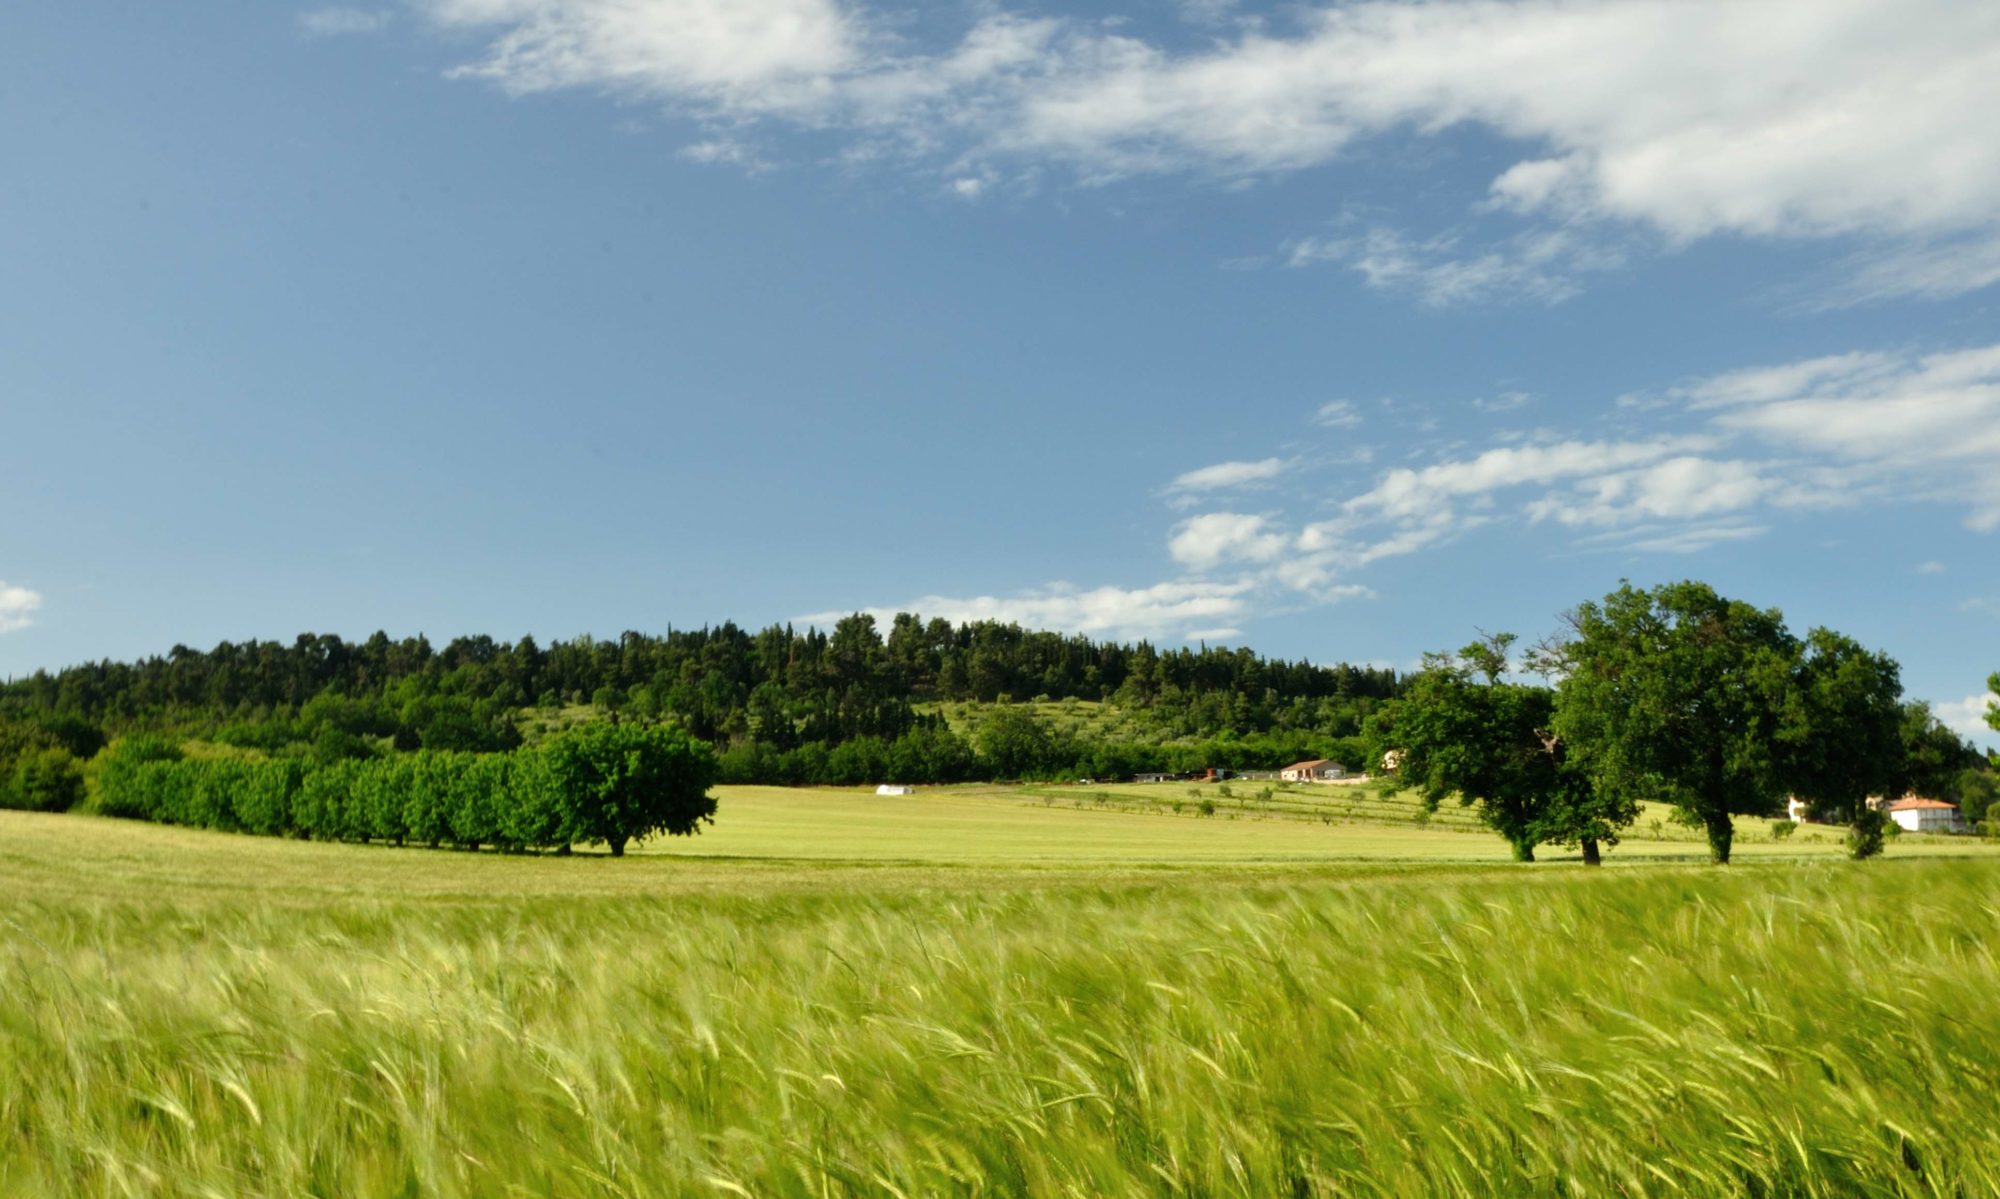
x=991 y=994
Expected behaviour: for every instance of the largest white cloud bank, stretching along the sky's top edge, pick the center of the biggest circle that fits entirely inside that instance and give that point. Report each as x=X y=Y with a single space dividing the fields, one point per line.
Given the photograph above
x=1679 y=119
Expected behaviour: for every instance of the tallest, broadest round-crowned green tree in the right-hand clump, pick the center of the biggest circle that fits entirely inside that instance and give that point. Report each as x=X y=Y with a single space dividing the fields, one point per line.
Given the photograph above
x=1715 y=706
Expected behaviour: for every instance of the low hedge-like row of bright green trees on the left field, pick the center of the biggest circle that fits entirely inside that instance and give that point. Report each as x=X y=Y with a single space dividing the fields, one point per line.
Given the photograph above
x=599 y=784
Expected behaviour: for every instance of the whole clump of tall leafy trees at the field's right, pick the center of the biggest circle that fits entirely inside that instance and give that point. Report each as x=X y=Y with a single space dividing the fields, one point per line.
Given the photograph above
x=1671 y=694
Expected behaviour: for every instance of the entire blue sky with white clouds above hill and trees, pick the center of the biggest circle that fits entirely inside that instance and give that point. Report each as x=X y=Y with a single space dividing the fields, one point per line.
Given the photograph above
x=1331 y=331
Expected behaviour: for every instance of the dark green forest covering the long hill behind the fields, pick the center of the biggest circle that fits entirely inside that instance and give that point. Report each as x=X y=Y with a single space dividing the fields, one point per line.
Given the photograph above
x=781 y=706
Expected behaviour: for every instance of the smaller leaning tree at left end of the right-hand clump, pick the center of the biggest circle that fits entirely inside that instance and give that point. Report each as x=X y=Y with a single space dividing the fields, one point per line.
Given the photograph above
x=1463 y=730
